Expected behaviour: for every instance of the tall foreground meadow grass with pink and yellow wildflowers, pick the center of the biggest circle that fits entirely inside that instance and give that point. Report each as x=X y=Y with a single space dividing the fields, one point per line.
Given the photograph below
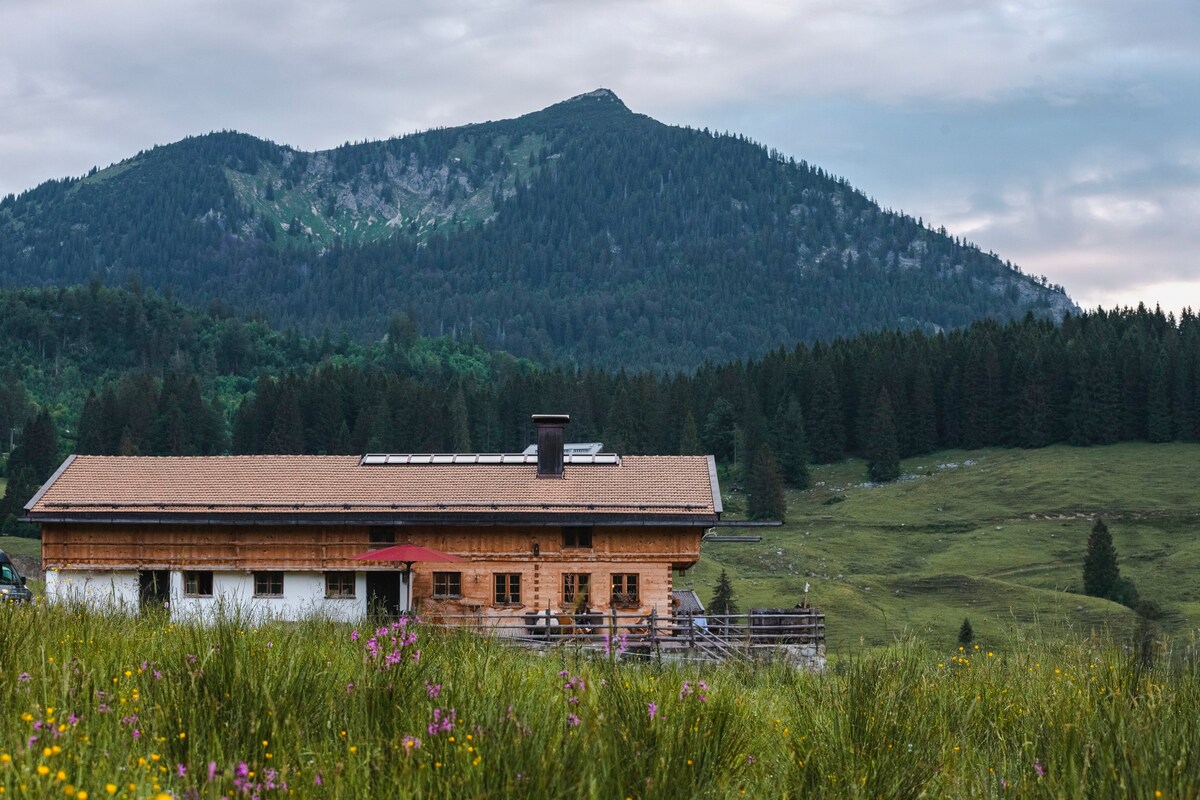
x=95 y=705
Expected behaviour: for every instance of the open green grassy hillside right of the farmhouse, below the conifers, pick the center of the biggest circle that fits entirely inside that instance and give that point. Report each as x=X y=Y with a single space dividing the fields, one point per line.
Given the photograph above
x=993 y=536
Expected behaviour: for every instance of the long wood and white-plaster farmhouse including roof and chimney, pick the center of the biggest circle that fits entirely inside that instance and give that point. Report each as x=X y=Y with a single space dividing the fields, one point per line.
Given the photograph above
x=279 y=534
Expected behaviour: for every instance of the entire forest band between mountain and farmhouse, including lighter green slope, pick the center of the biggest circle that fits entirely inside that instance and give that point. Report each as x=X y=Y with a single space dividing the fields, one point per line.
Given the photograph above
x=171 y=381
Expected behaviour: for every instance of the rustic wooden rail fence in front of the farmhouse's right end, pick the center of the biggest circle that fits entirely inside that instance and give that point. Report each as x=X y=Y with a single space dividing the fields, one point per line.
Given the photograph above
x=710 y=636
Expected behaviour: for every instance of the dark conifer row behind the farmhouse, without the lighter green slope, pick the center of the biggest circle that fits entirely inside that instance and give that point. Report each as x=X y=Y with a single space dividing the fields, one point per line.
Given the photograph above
x=1097 y=378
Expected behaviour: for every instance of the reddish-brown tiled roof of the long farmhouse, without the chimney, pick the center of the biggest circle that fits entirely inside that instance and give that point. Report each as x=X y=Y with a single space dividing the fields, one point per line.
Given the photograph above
x=242 y=485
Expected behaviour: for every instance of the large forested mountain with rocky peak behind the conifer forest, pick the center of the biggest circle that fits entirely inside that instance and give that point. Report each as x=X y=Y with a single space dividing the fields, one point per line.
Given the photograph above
x=583 y=234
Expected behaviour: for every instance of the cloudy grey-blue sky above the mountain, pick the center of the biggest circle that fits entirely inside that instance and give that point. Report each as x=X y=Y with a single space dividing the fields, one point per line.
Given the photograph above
x=1064 y=135
